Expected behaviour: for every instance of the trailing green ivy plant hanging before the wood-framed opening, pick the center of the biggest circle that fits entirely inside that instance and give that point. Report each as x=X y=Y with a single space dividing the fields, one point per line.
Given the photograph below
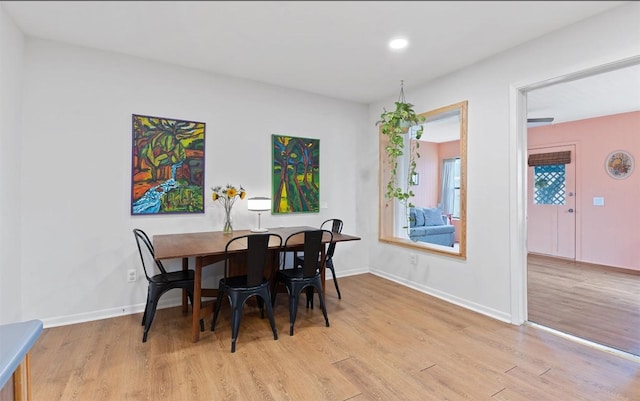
x=396 y=126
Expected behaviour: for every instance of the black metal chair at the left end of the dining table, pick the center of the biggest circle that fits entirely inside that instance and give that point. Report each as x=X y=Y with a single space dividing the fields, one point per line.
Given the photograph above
x=161 y=282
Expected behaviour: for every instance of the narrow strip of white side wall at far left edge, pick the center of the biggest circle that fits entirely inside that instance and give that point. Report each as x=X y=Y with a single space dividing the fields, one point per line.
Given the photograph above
x=11 y=64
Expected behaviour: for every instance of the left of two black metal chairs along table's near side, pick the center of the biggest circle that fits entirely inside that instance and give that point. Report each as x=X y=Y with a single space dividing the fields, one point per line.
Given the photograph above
x=240 y=288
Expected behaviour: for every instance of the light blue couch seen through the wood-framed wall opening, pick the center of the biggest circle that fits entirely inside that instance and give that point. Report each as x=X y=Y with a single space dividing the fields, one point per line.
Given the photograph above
x=430 y=225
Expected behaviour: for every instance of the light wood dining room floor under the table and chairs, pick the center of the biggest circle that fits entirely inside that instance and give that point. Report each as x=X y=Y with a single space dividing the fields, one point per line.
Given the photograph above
x=386 y=342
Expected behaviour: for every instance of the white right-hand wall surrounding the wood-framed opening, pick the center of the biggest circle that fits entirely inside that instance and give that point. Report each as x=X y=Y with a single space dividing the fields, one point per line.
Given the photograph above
x=483 y=282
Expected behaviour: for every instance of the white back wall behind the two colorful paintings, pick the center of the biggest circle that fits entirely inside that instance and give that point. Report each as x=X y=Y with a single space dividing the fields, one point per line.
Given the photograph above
x=76 y=166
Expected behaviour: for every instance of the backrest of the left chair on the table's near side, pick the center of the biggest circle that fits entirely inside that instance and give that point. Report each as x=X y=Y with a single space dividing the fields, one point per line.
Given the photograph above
x=257 y=248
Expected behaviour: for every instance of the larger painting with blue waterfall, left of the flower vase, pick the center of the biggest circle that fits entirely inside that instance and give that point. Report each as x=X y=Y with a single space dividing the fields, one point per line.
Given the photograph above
x=167 y=171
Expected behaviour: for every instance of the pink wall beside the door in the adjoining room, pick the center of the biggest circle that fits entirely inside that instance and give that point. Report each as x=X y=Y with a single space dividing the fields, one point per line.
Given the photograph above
x=609 y=234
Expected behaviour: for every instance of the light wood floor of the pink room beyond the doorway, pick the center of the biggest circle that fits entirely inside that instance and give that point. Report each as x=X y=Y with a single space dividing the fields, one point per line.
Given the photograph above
x=597 y=303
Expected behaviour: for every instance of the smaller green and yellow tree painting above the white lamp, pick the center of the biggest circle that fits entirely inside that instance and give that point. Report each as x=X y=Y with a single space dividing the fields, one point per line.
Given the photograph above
x=296 y=175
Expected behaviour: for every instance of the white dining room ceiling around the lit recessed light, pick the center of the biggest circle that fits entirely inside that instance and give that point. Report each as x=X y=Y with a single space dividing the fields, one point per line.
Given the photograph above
x=335 y=48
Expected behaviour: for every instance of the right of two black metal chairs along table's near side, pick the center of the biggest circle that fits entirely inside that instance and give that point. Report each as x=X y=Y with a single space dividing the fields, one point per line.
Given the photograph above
x=308 y=277
